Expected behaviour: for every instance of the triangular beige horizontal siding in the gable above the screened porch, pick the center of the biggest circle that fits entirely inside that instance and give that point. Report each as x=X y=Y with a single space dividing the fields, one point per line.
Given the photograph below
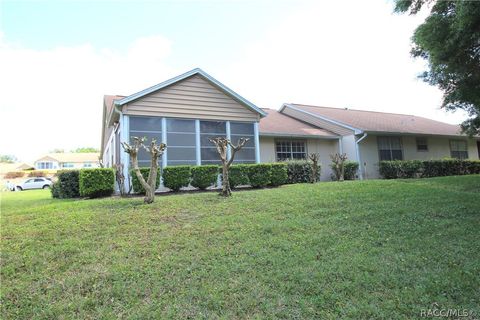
x=193 y=98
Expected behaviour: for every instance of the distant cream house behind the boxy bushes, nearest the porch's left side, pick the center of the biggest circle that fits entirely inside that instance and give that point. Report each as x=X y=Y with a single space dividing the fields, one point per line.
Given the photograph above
x=57 y=161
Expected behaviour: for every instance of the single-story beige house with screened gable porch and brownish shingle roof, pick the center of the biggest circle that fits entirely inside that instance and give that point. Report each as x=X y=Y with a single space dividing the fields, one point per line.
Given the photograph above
x=185 y=111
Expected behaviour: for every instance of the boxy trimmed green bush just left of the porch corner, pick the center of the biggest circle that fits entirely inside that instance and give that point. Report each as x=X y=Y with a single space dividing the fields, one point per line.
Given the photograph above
x=96 y=182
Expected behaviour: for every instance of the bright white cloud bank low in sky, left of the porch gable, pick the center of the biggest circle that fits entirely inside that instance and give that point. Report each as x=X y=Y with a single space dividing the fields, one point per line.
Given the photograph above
x=53 y=98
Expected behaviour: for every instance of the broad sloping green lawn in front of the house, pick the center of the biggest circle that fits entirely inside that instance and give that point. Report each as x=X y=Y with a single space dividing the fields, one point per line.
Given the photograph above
x=375 y=249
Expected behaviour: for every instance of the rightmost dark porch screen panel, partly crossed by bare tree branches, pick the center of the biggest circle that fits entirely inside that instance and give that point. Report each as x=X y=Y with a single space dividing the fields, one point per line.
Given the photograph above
x=243 y=130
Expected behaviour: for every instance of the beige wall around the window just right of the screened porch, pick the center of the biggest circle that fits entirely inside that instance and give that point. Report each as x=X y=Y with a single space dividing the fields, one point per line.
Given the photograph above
x=322 y=146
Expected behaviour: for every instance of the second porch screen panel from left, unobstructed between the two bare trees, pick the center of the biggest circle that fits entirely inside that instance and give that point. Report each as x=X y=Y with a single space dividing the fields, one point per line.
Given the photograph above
x=181 y=142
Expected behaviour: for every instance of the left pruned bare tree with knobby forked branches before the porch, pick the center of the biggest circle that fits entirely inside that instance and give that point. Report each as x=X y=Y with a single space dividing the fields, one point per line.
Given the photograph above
x=156 y=151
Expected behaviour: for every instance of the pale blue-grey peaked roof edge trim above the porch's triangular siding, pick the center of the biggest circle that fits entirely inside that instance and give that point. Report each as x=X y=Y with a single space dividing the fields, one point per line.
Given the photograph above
x=196 y=71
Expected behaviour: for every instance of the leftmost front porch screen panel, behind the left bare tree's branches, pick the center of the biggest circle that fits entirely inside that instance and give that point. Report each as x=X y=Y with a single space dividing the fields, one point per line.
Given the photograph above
x=149 y=127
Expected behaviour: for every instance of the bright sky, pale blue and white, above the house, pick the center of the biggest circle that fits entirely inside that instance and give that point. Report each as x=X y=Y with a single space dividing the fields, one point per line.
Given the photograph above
x=58 y=59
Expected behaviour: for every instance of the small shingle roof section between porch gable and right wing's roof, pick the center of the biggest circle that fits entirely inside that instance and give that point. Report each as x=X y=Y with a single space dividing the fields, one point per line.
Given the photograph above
x=276 y=123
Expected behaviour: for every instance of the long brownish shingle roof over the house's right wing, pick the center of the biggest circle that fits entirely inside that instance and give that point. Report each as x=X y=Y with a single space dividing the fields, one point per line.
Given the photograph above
x=383 y=122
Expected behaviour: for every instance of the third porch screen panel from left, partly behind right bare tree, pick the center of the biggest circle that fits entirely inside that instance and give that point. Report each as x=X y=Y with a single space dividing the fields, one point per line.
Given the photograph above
x=211 y=129
